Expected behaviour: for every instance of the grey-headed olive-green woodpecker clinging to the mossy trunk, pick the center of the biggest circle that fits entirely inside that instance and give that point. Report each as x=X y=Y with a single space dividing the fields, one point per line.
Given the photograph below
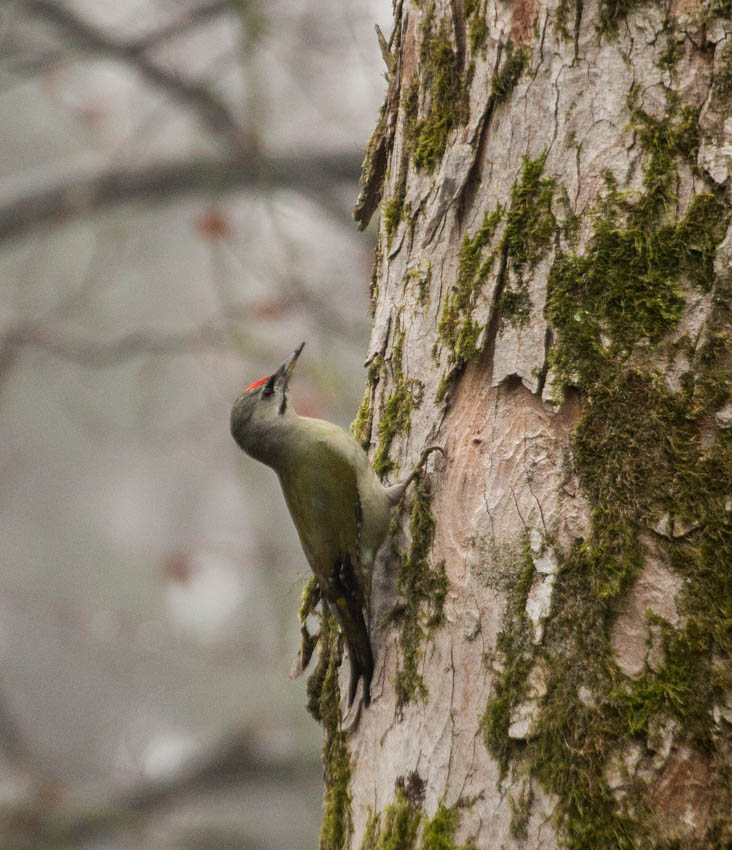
x=340 y=508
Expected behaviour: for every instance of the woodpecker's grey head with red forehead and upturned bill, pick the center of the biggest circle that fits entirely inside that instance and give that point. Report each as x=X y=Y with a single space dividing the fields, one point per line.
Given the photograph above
x=259 y=411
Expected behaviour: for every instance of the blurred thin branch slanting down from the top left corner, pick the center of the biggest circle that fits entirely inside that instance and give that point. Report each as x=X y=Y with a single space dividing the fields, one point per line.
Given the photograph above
x=212 y=110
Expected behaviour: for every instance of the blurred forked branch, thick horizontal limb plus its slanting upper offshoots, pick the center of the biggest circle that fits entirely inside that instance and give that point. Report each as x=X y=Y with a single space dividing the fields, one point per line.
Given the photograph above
x=241 y=163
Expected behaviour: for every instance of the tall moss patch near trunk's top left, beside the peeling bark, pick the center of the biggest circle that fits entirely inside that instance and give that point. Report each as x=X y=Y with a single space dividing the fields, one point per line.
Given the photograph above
x=445 y=87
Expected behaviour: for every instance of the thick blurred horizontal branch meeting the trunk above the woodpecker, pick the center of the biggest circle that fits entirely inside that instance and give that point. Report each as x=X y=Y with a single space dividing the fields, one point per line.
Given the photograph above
x=312 y=174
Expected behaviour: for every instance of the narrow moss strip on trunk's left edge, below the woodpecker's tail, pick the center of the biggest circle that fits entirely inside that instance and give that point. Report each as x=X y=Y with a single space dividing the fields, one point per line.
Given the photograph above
x=336 y=825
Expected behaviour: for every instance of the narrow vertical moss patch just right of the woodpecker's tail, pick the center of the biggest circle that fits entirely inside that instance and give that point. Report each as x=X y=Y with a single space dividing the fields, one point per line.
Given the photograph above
x=423 y=589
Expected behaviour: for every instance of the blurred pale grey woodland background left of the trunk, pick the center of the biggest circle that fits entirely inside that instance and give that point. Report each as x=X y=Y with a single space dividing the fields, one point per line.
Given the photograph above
x=176 y=185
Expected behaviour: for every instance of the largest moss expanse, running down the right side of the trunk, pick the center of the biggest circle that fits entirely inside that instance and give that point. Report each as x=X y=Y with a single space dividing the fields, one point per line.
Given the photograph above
x=639 y=453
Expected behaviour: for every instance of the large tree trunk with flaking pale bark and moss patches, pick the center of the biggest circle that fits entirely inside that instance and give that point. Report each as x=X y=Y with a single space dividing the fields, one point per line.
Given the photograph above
x=551 y=304
